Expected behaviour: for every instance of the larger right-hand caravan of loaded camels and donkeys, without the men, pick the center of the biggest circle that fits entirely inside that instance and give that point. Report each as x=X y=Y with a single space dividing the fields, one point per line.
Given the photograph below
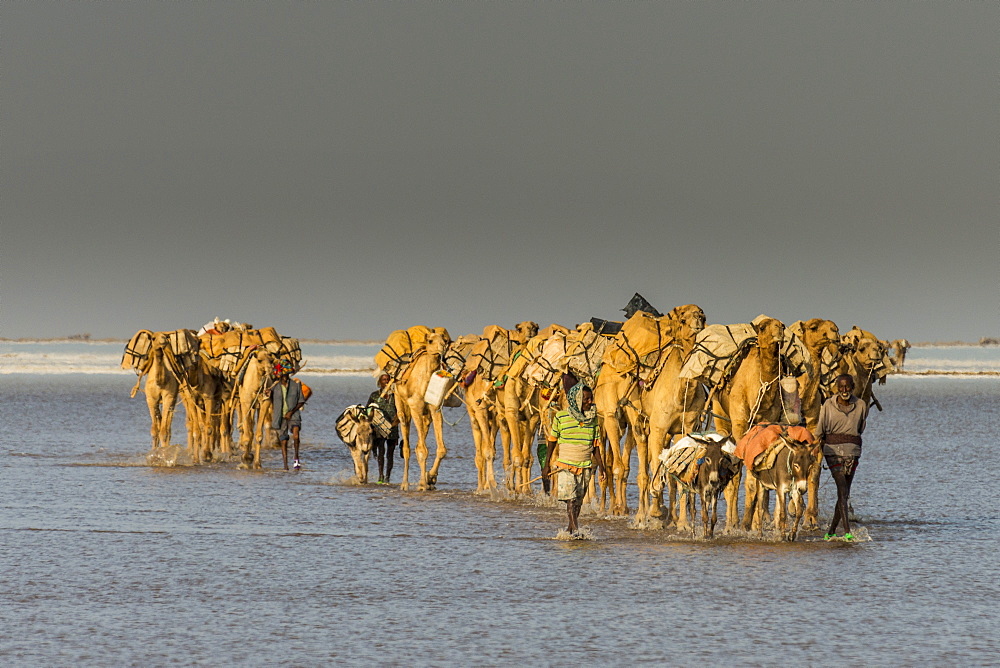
x=705 y=408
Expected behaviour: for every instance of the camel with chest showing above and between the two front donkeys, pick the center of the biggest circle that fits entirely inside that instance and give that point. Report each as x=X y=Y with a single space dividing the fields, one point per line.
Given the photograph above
x=752 y=395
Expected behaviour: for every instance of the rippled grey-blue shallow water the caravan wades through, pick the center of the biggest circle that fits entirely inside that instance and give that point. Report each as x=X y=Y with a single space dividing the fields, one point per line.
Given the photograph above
x=109 y=561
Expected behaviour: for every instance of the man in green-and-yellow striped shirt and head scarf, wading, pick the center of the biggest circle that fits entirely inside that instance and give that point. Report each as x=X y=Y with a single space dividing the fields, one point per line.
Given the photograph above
x=573 y=452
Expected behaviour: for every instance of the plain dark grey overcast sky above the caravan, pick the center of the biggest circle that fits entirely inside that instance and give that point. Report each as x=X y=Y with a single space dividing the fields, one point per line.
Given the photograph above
x=340 y=170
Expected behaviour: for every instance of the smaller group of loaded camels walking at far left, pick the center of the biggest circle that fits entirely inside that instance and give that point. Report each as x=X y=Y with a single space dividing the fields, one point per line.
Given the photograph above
x=222 y=374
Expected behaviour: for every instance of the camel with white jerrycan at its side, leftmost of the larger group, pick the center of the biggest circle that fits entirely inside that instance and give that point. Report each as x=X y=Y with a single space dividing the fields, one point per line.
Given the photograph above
x=410 y=388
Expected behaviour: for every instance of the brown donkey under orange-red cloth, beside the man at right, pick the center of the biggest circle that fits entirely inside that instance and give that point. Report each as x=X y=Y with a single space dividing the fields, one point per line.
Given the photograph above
x=788 y=475
